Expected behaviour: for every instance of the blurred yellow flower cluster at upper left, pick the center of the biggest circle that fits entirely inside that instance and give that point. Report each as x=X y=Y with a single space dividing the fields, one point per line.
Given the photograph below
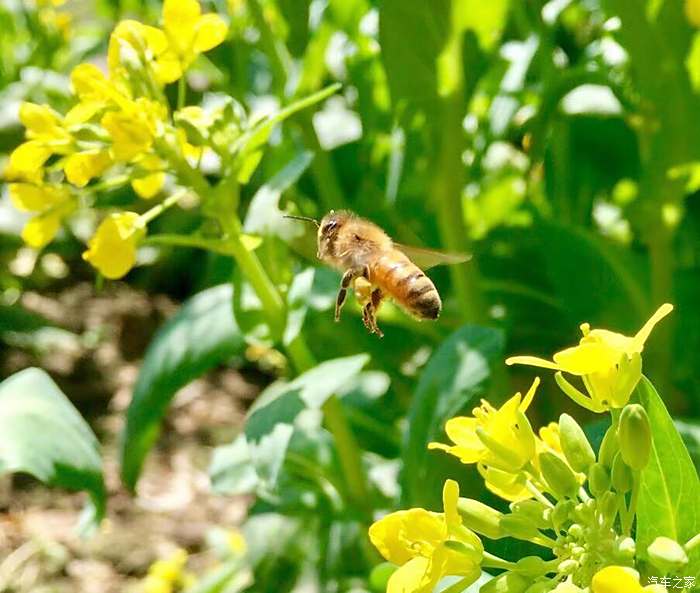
x=121 y=130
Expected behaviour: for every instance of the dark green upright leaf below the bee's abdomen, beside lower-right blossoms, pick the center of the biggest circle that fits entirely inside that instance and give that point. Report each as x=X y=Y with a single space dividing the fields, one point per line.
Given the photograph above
x=455 y=375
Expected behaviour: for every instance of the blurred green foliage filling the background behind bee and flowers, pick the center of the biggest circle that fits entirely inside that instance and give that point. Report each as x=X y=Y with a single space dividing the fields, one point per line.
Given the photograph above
x=558 y=142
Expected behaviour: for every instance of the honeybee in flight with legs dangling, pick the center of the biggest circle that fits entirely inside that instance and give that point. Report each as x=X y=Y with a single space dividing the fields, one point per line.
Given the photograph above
x=377 y=268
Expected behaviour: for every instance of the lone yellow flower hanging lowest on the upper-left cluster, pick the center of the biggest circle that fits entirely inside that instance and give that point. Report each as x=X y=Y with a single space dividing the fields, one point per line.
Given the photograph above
x=112 y=249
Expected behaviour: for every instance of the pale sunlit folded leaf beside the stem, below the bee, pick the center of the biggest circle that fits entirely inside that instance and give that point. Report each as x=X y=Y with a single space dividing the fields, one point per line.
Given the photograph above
x=270 y=424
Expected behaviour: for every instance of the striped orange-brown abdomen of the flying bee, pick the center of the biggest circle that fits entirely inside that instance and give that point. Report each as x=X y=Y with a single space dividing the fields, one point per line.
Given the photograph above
x=406 y=283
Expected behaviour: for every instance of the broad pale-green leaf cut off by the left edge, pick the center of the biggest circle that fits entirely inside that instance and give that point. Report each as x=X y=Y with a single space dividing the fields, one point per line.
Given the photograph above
x=45 y=436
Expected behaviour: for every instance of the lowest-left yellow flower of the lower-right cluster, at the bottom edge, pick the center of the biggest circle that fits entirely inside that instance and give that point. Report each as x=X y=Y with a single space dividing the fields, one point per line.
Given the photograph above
x=427 y=546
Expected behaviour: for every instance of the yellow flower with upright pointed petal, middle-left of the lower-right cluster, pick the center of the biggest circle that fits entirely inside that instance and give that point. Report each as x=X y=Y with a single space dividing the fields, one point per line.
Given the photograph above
x=501 y=438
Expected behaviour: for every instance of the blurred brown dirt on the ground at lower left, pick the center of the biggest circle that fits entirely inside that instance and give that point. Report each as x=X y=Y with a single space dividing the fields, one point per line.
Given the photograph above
x=96 y=367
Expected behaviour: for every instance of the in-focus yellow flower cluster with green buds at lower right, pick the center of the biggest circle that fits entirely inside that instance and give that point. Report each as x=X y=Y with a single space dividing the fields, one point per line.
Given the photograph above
x=562 y=496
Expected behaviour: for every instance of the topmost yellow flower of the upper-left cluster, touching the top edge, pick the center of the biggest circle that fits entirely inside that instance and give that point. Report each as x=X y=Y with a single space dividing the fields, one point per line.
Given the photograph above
x=189 y=34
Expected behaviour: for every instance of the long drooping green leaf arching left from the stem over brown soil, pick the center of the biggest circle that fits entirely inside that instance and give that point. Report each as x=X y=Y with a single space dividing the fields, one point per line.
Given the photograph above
x=199 y=336
